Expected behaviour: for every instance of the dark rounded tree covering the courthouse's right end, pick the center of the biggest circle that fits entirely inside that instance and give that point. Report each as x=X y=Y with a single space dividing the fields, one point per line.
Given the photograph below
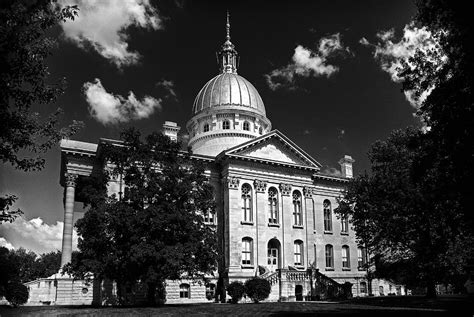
x=398 y=218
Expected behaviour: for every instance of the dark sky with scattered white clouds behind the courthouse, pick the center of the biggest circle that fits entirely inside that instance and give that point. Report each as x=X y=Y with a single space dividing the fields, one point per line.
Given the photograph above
x=324 y=69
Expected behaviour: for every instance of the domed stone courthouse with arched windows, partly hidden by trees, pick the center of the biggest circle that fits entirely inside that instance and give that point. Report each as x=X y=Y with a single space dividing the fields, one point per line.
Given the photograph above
x=275 y=207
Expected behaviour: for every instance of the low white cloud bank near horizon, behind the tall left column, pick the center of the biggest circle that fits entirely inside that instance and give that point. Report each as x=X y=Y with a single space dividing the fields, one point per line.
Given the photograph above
x=34 y=235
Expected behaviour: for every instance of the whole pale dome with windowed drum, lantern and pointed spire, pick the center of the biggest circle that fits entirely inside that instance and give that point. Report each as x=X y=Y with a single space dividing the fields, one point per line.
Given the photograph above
x=228 y=110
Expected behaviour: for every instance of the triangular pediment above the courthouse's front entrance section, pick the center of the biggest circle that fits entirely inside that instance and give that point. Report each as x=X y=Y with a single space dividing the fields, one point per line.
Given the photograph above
x=274 y=147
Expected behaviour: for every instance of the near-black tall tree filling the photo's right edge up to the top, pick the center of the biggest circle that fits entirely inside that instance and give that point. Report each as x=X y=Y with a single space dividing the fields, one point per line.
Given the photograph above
x=448 y=110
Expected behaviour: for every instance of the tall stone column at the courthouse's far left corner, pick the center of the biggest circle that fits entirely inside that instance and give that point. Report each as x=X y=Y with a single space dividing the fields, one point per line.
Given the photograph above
x=68 y=218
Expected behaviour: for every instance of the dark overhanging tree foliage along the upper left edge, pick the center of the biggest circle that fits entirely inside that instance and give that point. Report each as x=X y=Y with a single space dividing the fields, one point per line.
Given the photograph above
x=24 y=83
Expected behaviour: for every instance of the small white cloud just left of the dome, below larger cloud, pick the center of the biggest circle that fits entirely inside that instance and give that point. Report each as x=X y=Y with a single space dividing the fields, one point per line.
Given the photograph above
x=108 y=108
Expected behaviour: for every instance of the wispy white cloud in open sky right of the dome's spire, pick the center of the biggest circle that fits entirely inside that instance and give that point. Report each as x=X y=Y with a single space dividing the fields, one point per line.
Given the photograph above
x=306 y=62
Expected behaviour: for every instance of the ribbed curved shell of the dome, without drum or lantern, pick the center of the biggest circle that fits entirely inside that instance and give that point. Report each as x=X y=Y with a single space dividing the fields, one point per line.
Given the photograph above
x=228 y=89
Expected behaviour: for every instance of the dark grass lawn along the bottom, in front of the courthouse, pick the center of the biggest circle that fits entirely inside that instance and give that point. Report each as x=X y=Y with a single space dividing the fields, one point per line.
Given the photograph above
x=378 y=306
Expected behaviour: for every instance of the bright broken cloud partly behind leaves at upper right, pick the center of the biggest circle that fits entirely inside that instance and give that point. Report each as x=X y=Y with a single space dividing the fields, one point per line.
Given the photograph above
x=391 y=54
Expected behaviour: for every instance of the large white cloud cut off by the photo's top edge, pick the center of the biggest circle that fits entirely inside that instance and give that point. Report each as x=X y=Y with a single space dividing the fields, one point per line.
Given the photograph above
x=103 y=24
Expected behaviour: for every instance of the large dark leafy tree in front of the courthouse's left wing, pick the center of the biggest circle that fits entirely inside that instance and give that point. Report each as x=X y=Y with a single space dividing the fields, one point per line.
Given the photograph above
x=155 y=230
